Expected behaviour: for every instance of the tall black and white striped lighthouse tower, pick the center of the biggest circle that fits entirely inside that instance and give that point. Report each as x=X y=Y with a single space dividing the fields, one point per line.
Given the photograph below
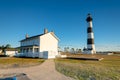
x=90 y=36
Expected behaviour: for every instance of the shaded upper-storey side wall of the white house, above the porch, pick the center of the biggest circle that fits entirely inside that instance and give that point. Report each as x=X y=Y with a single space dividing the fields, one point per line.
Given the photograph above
x=34 y=41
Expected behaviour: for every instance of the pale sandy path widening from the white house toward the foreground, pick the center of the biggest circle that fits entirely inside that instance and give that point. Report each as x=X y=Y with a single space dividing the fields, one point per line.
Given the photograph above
x=45 y=71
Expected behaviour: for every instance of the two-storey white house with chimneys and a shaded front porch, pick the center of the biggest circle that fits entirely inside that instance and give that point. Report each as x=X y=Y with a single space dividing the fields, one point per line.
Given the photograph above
x=41 y=46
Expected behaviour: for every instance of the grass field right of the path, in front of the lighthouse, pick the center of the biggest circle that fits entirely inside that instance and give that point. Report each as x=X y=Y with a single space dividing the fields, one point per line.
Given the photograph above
x=107 y=69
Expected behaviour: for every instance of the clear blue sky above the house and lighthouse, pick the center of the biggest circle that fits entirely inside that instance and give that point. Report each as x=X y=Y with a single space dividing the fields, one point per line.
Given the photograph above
x=65 y=17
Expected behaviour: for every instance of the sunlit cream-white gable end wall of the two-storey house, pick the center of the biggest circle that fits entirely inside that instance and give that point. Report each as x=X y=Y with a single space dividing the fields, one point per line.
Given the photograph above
x=48 y=43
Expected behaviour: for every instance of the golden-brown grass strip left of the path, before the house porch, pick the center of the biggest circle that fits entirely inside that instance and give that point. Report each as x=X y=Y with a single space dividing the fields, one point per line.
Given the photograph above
x=19 y=62
